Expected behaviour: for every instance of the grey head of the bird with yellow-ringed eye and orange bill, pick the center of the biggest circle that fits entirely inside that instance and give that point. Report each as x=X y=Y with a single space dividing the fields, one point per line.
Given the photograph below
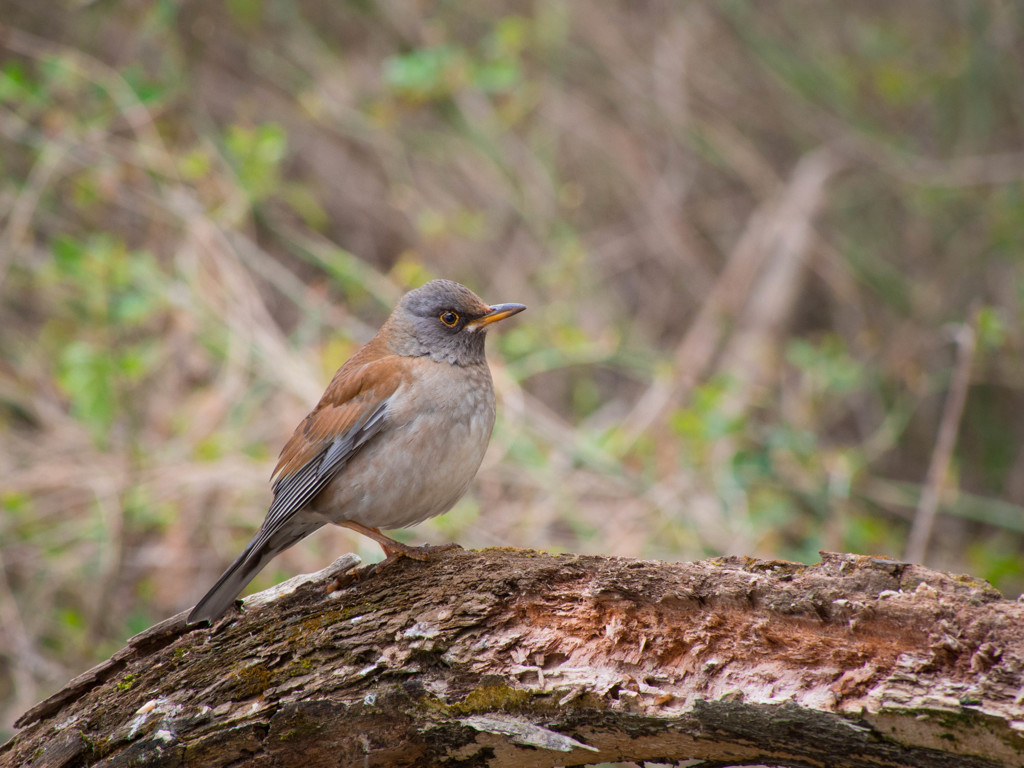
x=446 y=322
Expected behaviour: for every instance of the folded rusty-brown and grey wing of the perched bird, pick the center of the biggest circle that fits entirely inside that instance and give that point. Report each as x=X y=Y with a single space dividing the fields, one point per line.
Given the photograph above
x=351 y=413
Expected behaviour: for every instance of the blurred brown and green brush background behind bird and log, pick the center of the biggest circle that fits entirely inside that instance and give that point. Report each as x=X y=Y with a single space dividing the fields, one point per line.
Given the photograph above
x=772 y=251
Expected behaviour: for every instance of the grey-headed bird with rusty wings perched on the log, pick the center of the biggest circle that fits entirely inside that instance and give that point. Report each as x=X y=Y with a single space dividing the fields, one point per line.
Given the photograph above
x=396 y=440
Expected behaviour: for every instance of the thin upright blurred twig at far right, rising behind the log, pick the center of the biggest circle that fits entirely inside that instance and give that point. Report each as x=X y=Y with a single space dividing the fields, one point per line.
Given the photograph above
x=924 y=521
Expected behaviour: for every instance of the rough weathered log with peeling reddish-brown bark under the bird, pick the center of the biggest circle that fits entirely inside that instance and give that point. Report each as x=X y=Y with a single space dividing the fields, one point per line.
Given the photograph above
x=505 y=658
